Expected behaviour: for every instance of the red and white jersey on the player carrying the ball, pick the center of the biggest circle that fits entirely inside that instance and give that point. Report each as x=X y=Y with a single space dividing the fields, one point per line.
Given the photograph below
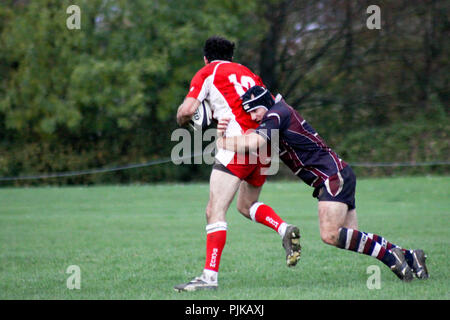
x=222 y=83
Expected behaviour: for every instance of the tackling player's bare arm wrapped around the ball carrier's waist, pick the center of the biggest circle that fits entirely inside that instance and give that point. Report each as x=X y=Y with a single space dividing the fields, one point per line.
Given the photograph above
x=241 y=144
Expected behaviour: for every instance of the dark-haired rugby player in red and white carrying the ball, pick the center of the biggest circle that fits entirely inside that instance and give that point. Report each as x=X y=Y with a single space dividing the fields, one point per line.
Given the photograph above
x=222 y=82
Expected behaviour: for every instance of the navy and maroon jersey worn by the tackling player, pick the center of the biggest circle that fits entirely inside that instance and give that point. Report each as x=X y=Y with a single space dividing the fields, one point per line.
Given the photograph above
x=301 y=147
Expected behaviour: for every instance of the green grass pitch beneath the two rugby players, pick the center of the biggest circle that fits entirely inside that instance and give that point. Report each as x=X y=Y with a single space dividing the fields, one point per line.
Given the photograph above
x=137 y=242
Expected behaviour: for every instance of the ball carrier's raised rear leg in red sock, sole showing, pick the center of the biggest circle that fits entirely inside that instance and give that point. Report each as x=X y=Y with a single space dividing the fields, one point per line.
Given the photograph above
x=250 y=208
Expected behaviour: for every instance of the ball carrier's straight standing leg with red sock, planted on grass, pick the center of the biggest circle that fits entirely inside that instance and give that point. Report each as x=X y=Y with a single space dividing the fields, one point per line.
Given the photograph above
x=223 y=187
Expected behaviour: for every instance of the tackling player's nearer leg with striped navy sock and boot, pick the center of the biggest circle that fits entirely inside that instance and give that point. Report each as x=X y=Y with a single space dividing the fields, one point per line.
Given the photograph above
x=332 y=219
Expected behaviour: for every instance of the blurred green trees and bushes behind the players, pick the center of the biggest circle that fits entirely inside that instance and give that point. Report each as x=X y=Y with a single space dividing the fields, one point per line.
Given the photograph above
x=107 y=94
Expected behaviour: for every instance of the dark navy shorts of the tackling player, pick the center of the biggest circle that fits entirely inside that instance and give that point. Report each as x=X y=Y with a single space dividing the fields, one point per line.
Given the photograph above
x=340 y=188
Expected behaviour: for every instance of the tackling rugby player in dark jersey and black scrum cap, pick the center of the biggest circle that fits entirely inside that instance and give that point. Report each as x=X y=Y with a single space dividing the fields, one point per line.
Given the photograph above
x=310 y=159
